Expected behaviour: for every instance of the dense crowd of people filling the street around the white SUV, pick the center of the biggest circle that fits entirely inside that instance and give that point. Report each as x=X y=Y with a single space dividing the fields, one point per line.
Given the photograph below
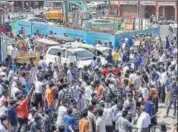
x=120 y=96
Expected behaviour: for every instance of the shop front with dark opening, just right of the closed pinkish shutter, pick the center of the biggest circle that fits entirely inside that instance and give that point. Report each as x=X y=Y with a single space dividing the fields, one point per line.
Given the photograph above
x=147 y=9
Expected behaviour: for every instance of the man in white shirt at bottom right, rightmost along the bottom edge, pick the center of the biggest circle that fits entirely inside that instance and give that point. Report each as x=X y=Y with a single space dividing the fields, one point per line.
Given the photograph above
x=144 y=121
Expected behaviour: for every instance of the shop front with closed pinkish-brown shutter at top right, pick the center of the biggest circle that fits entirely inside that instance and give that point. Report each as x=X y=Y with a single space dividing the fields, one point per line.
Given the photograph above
x=129 y=8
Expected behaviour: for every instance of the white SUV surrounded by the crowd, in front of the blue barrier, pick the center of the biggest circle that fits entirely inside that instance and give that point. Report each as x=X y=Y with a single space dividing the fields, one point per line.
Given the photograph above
x=79 y=56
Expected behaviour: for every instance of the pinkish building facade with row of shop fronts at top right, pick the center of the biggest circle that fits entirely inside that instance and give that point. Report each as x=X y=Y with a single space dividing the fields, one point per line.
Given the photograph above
x=145 y=9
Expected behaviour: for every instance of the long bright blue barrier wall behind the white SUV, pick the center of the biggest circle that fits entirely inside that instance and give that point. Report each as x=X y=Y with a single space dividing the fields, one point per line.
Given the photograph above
x=89 y=36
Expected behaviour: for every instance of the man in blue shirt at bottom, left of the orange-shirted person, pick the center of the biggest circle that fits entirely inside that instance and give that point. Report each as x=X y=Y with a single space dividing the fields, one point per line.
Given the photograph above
x=69 y=121
